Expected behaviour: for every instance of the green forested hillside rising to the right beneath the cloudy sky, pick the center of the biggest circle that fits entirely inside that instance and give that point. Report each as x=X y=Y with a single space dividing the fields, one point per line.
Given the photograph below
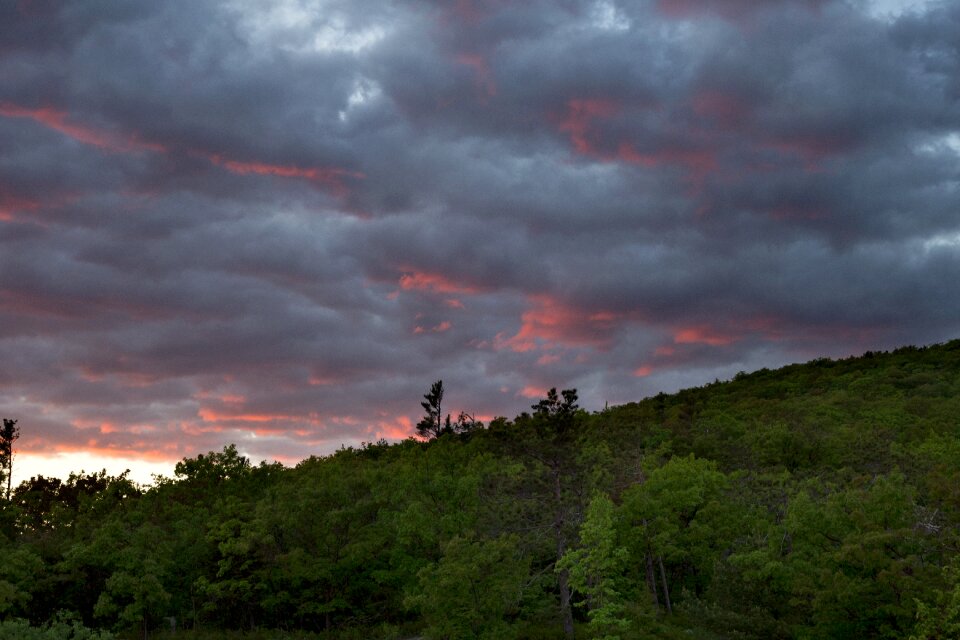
x=821 y=500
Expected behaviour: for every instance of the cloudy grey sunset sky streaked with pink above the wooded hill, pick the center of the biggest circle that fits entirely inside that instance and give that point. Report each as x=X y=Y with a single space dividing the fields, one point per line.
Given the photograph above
x=275 y=224
